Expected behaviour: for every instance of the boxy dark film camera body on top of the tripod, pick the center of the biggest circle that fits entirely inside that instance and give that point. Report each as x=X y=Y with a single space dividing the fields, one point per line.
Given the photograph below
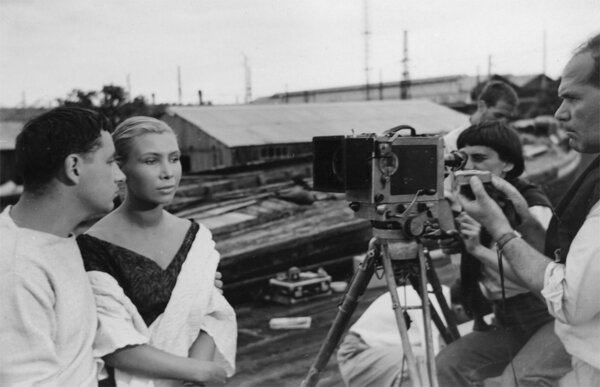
x=391 y=179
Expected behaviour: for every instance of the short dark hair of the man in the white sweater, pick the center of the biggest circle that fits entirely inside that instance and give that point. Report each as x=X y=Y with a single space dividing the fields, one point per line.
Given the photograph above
x=49 y=138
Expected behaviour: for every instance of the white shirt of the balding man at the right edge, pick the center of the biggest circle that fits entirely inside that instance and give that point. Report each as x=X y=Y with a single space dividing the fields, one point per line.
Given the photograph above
x=572 y=293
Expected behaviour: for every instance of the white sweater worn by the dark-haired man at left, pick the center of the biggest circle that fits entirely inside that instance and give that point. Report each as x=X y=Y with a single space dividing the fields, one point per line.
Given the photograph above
x=47 y=310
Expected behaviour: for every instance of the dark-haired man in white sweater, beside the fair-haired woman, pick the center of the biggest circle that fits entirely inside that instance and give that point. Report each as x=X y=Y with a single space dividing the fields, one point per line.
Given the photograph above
x=47 y=310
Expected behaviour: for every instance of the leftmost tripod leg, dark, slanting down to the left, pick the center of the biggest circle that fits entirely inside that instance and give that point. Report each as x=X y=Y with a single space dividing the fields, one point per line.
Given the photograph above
x=356 y=289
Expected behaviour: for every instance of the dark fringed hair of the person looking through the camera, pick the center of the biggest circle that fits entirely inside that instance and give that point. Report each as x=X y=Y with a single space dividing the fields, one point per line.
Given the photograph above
x=501 y=138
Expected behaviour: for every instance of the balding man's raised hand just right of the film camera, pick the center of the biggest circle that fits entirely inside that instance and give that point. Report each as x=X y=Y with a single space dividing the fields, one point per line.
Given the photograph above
x=485 y=210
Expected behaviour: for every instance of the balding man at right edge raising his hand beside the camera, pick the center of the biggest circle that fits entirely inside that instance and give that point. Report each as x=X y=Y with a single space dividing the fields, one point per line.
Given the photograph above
x=569 y=284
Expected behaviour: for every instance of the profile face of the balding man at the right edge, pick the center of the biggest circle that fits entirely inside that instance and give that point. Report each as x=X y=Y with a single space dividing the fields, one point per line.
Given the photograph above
x=579 y=112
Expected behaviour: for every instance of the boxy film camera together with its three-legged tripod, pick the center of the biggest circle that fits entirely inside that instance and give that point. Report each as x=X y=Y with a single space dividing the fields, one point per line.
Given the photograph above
x=397 y=183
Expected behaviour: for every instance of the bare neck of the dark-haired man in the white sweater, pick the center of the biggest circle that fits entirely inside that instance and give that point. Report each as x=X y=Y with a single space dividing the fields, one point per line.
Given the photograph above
x=49 y=213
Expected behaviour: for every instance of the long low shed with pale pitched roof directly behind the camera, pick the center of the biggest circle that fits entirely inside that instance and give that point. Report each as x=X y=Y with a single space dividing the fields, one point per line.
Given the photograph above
x=212 y=137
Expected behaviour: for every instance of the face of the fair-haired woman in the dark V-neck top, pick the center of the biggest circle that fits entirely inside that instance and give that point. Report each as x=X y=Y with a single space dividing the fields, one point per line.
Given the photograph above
x=152 y=167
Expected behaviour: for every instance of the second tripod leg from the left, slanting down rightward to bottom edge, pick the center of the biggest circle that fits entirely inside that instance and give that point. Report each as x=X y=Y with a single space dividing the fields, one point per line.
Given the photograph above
x=392 y=287
